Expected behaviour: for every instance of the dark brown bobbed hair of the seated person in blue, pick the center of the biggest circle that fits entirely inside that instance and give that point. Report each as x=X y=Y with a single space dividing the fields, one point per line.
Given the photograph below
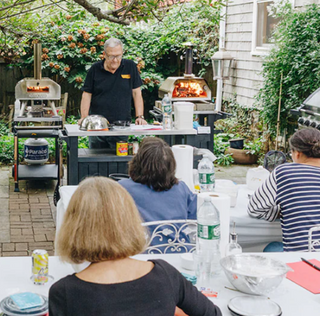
x=154 y=165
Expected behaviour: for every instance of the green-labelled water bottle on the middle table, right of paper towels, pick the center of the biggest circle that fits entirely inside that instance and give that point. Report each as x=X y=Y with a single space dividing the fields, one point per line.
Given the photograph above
x=206 y=174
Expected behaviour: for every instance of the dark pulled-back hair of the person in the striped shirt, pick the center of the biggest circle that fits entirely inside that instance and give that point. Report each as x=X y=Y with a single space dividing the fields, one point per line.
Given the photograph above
x=306 y=141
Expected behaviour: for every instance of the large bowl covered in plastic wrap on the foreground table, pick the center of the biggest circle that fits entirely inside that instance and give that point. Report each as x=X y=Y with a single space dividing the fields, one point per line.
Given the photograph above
x=254 y=274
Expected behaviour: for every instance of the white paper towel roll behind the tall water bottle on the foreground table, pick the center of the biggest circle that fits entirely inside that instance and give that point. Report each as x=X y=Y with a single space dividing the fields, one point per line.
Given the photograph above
x=222 y=202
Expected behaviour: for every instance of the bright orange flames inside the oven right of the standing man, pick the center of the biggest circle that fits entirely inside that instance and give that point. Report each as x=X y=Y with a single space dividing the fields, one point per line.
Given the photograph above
x=188 y=89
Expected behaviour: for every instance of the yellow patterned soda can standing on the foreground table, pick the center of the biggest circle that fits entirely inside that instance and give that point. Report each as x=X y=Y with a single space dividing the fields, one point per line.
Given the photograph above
x=40 y=266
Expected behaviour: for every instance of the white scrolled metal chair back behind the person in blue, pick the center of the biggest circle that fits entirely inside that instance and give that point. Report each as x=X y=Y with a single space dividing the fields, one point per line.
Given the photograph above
x=172 y=236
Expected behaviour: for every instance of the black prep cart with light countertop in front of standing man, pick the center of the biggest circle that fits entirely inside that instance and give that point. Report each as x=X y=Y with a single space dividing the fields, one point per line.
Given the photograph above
x=85 y=162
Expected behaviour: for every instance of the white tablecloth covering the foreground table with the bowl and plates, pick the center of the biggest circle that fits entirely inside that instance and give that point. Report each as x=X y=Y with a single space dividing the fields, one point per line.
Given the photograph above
x=294 y=300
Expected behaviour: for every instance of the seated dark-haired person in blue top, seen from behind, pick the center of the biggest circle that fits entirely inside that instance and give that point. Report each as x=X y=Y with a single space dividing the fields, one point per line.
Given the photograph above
x=156 y=191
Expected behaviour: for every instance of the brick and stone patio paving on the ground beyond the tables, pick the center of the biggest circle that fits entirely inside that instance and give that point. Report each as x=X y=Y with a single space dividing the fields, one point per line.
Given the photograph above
x=27 y=218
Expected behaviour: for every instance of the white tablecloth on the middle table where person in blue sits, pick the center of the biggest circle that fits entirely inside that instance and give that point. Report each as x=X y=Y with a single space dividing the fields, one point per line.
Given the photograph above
x=254 y=234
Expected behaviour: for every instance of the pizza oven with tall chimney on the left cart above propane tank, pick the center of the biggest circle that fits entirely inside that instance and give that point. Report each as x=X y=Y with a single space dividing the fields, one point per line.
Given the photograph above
x=36 y=97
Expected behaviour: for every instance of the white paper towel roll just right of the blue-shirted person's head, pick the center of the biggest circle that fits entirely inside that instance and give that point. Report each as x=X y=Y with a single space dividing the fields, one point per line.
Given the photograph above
x=183 y=155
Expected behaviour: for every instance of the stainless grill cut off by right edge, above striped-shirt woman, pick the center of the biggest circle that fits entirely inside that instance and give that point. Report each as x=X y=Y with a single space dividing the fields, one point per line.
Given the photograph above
x=309 y=112
